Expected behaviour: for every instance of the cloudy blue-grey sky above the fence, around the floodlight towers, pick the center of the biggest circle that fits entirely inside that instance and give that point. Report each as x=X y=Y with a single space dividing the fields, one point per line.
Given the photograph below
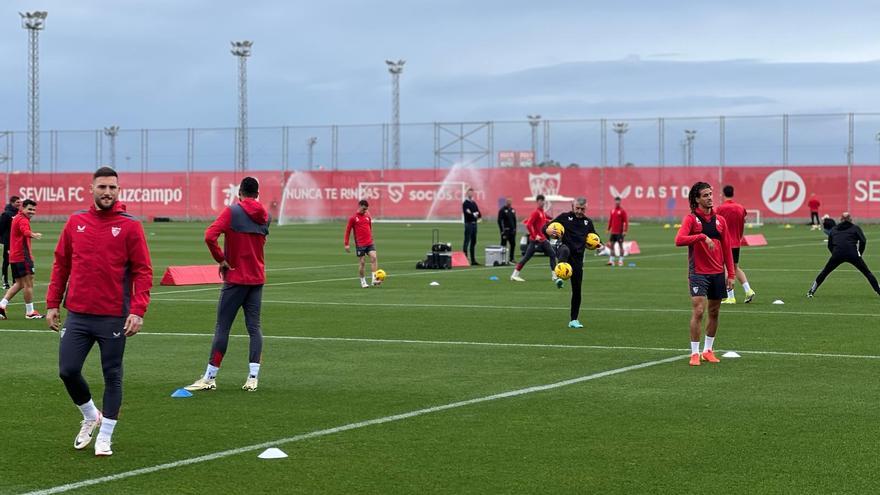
x=166 y=63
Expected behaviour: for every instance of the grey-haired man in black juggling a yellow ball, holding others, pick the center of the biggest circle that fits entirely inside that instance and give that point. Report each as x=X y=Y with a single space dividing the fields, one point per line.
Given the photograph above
x=571 y=250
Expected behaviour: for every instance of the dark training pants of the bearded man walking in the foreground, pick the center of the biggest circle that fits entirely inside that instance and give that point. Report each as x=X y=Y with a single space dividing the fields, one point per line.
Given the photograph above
x=78 y=334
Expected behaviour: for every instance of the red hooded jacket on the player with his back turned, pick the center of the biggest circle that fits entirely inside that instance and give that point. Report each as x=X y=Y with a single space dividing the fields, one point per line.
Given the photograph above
x=244 y=227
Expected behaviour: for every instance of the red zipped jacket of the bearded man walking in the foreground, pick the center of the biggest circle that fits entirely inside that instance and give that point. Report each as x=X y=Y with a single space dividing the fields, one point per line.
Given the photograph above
x=103 y=262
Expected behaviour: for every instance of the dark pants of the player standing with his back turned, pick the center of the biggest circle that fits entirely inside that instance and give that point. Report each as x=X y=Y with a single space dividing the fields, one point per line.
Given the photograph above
x=232 y=298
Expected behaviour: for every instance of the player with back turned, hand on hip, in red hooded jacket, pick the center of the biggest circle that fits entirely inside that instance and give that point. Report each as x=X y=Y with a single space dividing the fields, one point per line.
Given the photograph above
x=244 y=227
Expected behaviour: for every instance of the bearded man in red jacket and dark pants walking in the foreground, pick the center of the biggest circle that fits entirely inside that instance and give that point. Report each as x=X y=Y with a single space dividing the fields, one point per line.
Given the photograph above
x=103 y=274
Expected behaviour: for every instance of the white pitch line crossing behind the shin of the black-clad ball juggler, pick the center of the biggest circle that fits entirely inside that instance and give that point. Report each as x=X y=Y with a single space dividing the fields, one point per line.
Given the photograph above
x=532 y=308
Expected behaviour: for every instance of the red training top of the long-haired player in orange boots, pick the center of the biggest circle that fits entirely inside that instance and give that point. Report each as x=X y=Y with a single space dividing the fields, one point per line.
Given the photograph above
x=700 y=259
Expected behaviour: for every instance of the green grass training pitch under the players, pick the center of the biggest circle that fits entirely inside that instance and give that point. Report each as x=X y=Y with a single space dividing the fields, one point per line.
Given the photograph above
x=802 y=420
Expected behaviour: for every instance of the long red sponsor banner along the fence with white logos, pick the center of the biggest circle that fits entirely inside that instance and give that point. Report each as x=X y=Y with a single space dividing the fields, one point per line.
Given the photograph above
x=647 y=192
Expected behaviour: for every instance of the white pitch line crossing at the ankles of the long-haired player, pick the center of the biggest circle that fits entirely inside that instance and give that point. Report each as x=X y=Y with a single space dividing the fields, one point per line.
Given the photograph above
x=480 y=344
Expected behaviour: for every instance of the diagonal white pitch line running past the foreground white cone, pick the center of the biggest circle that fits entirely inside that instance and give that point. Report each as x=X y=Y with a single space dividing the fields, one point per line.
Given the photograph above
x=350 y=426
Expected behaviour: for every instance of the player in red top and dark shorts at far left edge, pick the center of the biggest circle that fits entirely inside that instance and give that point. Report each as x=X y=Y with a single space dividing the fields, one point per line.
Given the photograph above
x=21 y=260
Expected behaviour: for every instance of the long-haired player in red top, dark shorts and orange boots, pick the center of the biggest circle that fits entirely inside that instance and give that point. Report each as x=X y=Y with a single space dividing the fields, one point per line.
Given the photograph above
x=705 y=235
